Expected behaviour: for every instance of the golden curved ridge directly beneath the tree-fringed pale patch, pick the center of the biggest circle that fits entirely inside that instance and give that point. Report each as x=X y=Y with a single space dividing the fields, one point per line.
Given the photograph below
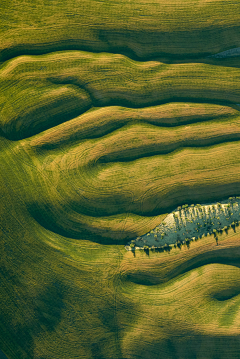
x=157 y=268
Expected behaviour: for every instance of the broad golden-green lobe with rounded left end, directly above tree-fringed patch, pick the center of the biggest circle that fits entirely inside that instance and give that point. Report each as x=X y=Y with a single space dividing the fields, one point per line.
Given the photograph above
x=71 y=196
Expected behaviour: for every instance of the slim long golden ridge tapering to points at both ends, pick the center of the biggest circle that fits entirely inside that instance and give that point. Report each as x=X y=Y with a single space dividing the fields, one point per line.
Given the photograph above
x=107 y=119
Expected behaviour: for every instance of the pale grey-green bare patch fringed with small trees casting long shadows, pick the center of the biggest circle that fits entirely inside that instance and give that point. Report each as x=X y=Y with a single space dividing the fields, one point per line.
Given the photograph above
x=190 y=222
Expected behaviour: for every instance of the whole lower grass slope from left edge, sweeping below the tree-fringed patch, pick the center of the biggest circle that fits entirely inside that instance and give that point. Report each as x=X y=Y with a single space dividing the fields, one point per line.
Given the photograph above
x=66 y=298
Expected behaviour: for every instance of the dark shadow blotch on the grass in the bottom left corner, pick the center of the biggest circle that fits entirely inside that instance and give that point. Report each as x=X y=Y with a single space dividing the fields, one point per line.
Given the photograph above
x=26 y=325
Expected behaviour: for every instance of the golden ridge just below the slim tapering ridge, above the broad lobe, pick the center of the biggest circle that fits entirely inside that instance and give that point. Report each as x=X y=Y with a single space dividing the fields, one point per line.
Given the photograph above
x=141 y=140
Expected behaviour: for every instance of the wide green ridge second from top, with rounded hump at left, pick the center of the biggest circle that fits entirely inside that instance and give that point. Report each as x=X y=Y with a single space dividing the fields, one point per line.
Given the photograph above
x=48 y=83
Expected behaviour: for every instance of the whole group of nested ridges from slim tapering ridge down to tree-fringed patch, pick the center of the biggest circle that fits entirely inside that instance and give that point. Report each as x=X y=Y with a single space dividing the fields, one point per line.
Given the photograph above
x=101 y=186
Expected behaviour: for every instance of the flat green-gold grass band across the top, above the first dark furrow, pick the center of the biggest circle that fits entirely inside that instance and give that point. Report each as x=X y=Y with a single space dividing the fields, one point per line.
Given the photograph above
x=140 y=28
